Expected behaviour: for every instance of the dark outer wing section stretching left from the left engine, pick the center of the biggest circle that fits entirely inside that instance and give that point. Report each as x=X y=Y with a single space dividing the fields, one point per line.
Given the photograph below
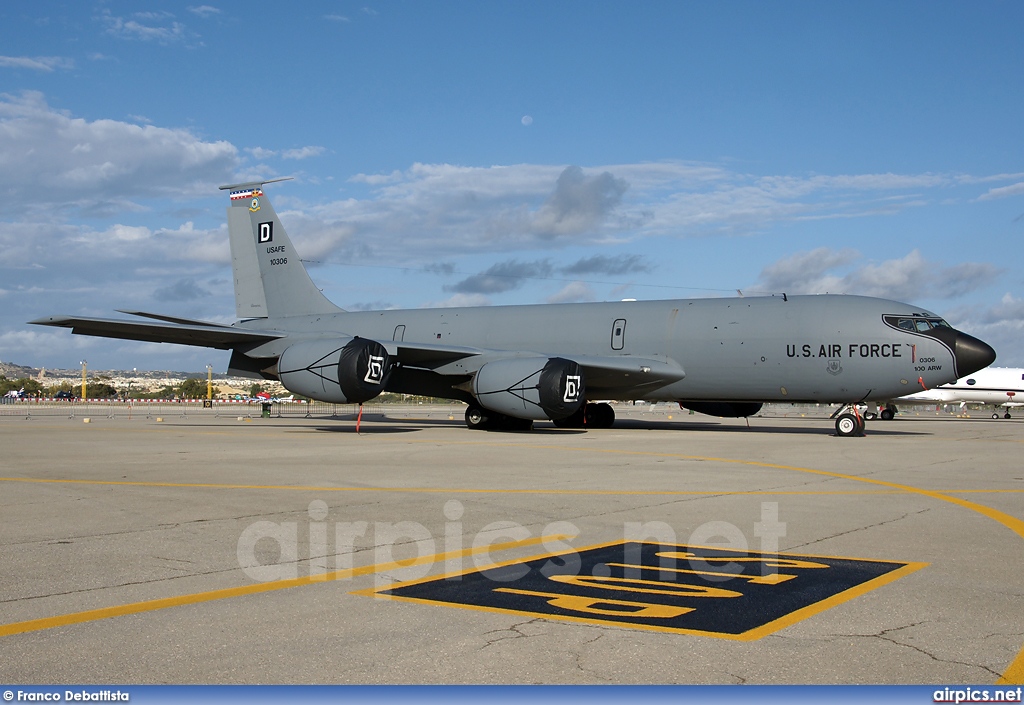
x=196 y=334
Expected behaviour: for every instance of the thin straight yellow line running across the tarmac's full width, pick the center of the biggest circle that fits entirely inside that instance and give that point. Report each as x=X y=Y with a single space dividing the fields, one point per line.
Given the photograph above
x=457 y=490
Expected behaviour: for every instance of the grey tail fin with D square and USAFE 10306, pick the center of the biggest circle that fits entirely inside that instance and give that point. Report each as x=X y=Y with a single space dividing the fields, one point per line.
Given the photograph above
x=270 y=278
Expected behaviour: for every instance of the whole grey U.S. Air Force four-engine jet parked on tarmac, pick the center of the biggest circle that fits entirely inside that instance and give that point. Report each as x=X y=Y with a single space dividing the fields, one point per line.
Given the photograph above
x=514 y=365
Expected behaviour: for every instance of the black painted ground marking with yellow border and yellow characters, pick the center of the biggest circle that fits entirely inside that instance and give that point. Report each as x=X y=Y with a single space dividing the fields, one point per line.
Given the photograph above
x=678 y=589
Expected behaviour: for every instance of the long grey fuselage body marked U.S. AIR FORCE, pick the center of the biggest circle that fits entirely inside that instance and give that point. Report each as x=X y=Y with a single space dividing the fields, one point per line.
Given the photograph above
x=797 y=349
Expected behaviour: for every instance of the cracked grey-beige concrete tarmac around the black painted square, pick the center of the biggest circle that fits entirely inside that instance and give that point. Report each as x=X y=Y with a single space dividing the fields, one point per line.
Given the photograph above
x=122 y=512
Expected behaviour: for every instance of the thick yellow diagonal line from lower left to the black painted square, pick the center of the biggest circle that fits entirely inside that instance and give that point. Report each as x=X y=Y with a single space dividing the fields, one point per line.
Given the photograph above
x=255 y=589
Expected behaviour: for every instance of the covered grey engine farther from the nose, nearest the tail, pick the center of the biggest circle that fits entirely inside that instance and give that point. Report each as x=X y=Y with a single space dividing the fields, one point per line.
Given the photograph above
x=342 y=371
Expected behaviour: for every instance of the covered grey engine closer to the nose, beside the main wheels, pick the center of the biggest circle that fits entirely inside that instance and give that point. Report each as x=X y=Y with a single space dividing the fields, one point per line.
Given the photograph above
x=531 y=388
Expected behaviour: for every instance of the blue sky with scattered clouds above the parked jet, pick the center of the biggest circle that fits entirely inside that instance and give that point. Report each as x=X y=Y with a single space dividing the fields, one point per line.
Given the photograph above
x=499 y=153
